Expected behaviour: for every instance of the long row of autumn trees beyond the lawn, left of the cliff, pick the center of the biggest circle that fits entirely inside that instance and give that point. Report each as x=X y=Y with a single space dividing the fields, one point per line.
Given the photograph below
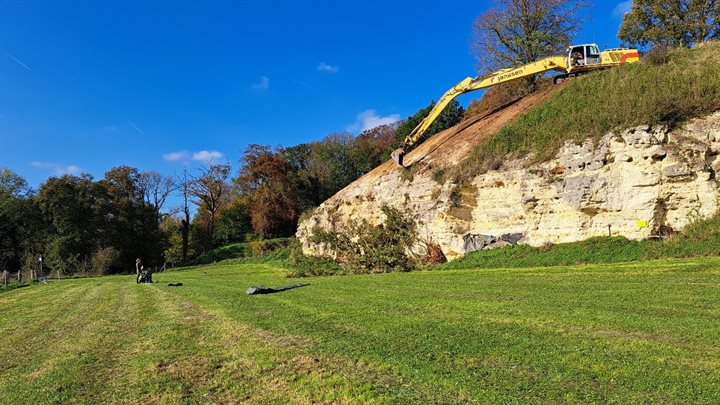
x=83 y=225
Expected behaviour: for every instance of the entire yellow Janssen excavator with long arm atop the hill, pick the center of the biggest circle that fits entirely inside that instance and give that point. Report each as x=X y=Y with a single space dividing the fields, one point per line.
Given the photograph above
x=578 y=59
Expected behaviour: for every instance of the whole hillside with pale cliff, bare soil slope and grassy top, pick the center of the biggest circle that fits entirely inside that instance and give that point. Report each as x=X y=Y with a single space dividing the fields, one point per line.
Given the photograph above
x=625 y=152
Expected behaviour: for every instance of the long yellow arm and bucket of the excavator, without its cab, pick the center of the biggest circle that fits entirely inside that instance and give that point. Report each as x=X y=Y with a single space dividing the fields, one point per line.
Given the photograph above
x=558 y=63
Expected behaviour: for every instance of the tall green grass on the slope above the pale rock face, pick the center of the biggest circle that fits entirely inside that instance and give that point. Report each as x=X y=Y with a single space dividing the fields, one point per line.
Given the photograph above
x=665 y=89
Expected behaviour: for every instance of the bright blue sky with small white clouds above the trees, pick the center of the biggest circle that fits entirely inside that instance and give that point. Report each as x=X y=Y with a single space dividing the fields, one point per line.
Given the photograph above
x=160 y=85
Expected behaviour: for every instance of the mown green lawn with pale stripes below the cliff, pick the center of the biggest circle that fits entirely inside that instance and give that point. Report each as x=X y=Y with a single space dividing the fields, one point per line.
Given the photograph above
x=640 y=332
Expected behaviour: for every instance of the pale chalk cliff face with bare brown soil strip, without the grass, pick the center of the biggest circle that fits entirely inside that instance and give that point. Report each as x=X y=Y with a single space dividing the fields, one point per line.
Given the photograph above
x=639 y=183
